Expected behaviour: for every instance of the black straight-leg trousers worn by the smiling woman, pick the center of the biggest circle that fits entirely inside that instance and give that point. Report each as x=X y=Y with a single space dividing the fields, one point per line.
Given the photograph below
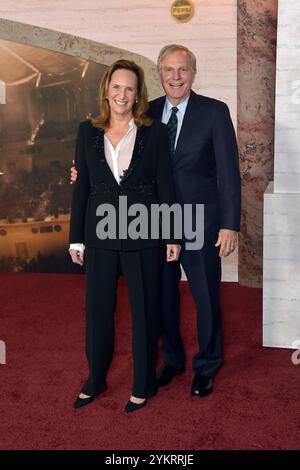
x=142 y=270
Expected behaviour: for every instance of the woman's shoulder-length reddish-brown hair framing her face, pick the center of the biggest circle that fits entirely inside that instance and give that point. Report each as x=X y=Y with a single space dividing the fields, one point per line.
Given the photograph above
x=139 y=108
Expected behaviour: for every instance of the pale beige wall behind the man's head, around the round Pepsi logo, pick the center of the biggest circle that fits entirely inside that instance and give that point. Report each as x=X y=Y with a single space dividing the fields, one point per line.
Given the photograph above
x=143 y=27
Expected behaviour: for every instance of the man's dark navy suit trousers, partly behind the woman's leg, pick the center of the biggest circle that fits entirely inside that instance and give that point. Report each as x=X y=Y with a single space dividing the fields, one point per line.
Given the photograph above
x=203 y=271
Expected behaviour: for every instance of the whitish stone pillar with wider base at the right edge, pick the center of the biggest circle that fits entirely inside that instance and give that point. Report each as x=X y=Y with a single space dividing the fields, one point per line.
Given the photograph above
x=281 y=279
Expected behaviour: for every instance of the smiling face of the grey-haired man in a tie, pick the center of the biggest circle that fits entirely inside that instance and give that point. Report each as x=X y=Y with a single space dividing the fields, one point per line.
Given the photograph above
x=177 y=76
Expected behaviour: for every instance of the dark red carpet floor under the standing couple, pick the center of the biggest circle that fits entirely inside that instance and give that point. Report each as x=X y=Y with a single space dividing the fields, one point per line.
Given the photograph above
x=255 y=404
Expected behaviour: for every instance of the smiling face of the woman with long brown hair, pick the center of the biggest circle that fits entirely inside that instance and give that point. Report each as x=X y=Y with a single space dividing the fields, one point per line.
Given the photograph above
x=122 y=92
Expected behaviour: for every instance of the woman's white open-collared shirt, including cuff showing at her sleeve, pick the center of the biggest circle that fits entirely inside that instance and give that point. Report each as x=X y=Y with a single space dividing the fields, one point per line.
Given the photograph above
x=118 y=160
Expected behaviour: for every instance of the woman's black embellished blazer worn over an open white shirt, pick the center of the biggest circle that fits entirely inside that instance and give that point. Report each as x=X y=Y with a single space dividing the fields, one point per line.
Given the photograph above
x=148 y=180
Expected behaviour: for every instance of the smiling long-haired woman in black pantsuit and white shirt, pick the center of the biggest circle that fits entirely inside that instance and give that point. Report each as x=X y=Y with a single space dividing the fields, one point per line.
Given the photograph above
x=122 y=155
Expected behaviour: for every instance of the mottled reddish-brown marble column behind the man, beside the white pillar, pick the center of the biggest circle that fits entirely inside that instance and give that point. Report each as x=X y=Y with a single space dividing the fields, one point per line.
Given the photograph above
x=255 y=110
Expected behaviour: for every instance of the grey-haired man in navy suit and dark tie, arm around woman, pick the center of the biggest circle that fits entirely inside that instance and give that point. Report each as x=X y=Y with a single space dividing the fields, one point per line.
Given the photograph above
x=205 y=171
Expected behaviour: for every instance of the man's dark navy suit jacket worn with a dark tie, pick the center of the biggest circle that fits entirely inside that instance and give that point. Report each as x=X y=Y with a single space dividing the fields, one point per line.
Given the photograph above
x=206 y=163
